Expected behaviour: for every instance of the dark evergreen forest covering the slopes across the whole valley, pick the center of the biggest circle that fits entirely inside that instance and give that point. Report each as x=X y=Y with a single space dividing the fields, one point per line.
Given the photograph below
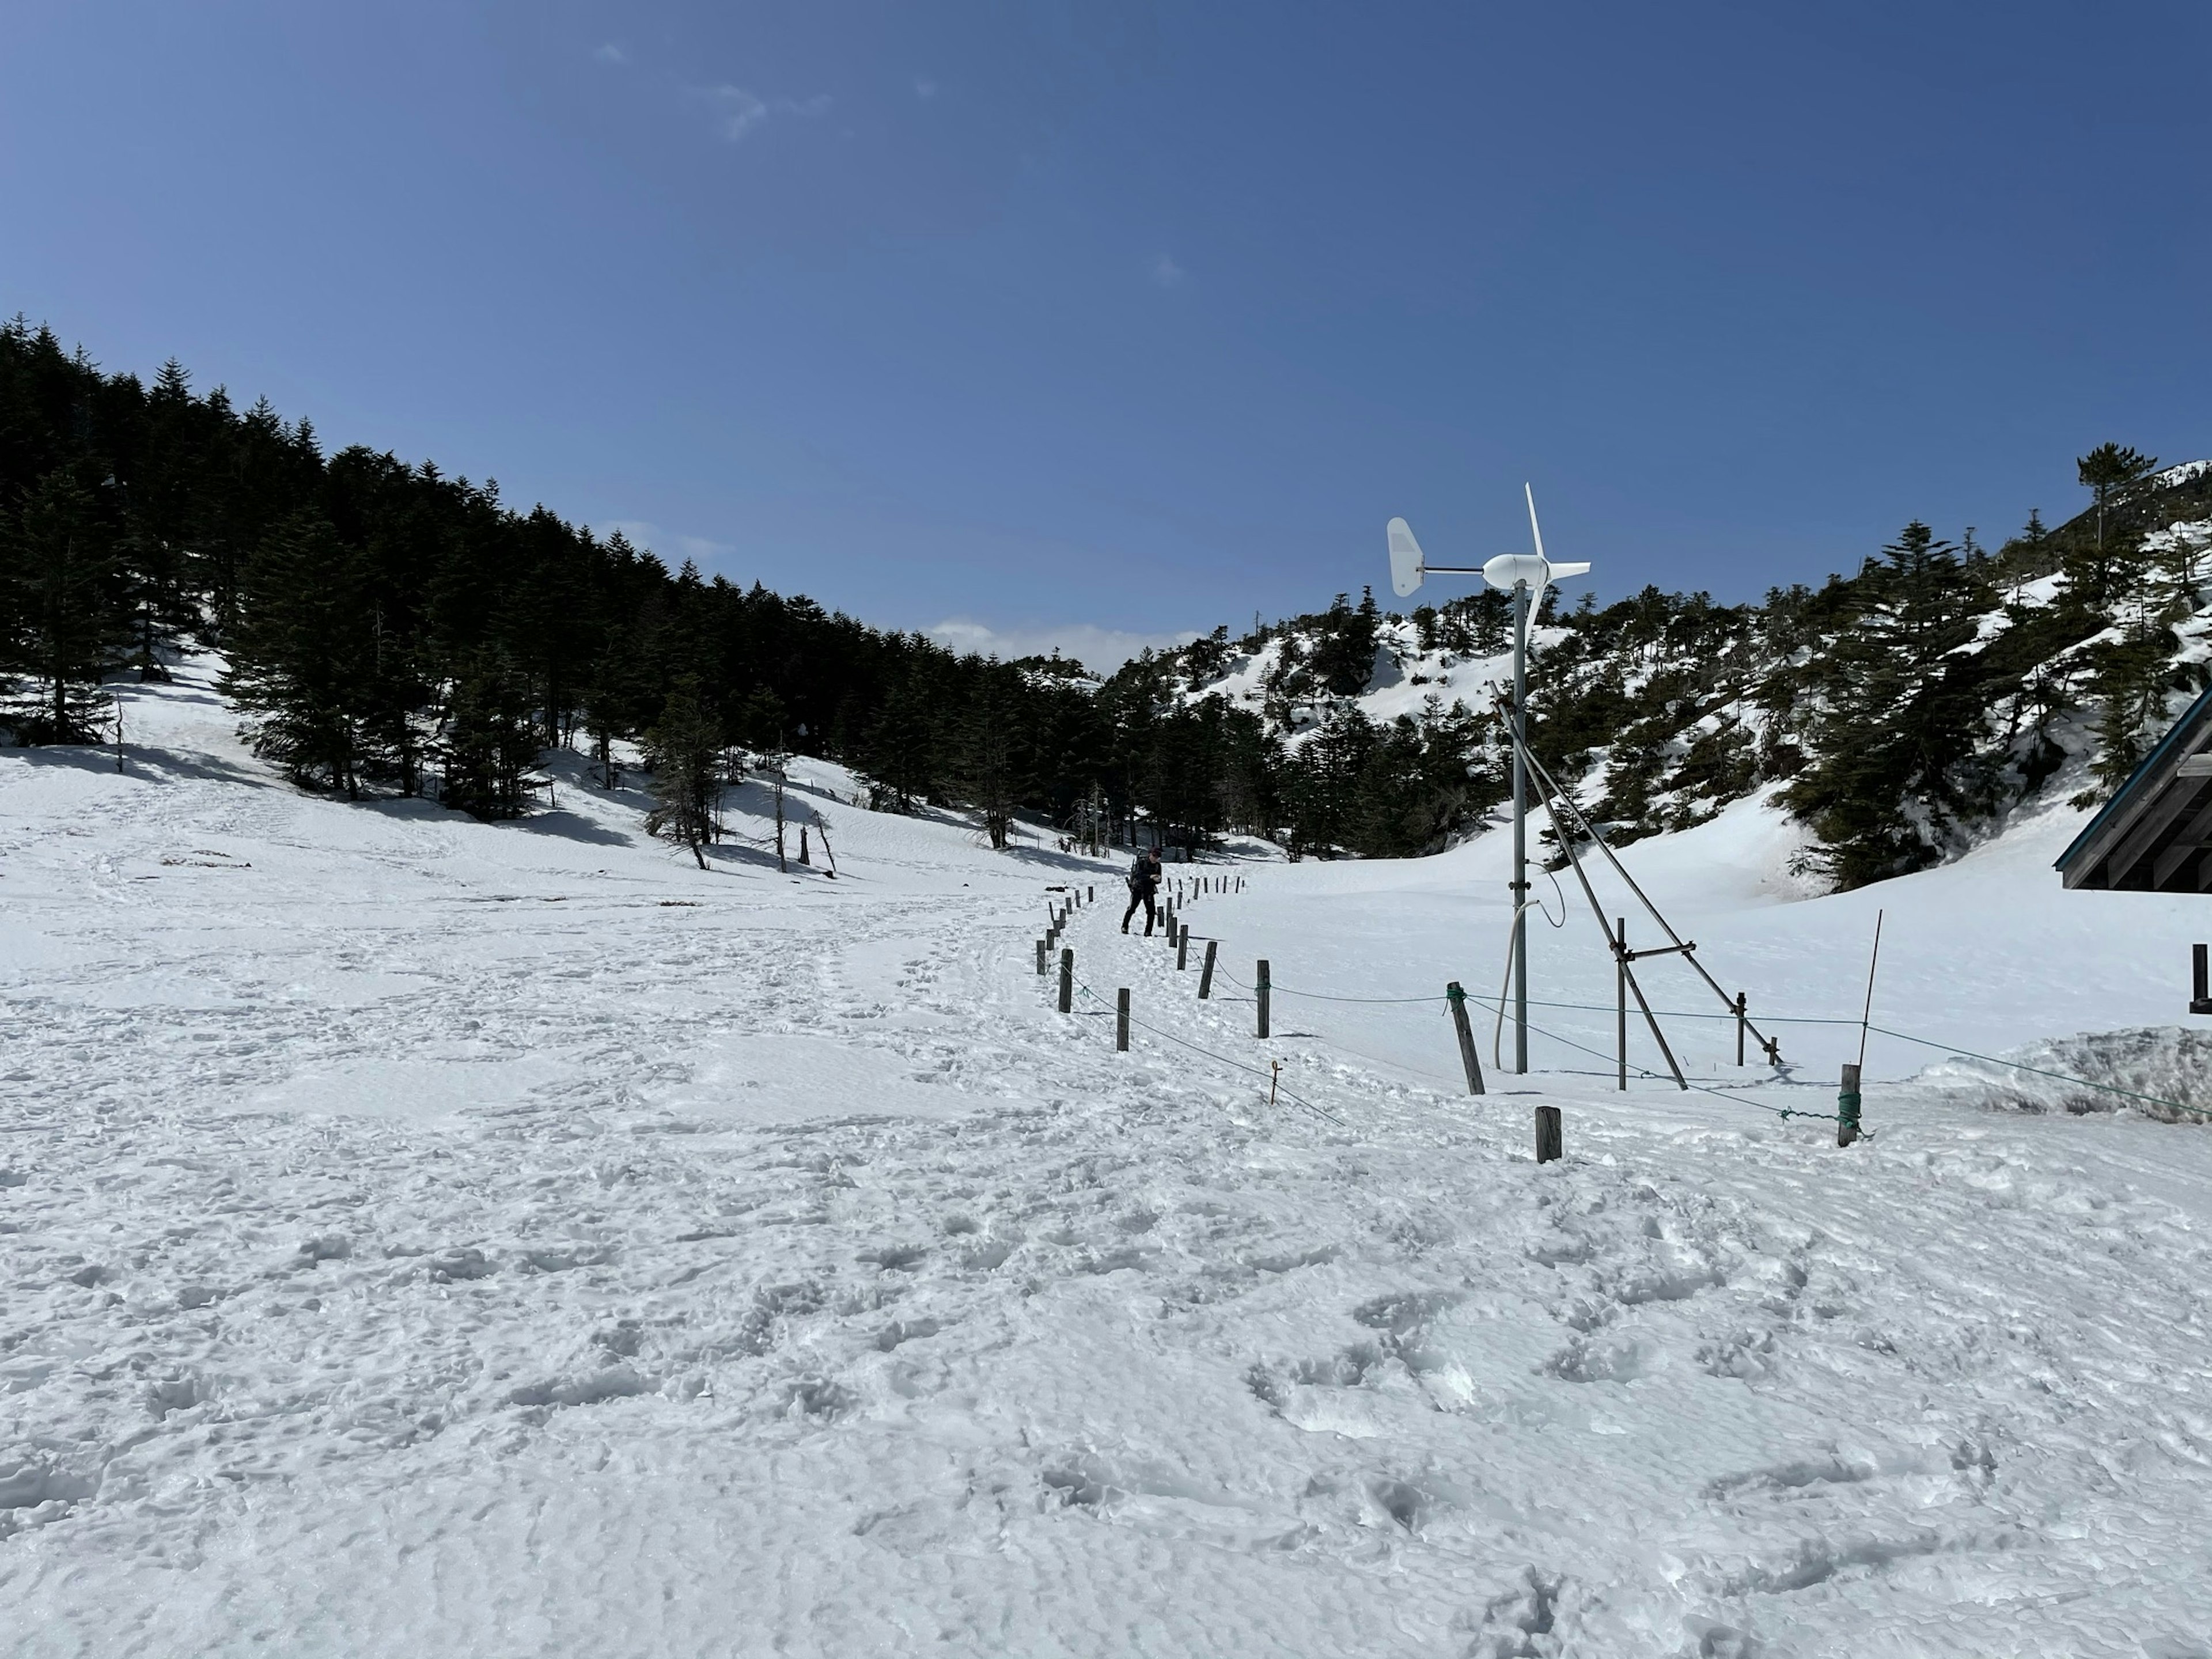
x=393 y=629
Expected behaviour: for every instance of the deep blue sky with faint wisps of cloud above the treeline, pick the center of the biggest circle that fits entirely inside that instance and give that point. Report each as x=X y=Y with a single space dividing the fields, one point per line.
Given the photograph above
x=1098 y=324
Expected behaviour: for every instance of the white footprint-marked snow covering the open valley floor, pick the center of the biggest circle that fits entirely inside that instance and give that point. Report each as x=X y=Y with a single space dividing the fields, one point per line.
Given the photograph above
x=430 y=1238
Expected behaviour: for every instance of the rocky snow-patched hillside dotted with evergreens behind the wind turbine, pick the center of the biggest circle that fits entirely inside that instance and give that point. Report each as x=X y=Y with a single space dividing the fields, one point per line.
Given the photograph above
x=1906 y=711
